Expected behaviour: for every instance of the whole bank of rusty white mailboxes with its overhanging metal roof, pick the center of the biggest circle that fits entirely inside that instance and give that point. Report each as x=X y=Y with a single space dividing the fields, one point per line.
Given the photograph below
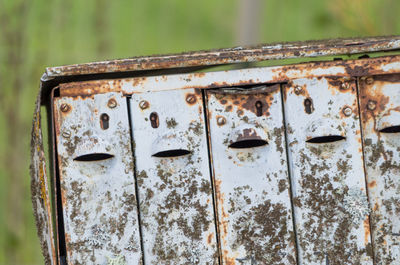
x=167 y=160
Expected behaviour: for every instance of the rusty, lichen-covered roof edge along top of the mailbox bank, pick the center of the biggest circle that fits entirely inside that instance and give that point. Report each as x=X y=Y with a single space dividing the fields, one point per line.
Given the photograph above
x=232 y=55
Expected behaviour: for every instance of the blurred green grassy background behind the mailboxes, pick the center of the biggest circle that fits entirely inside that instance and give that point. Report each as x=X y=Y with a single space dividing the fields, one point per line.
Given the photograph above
x=38 y=33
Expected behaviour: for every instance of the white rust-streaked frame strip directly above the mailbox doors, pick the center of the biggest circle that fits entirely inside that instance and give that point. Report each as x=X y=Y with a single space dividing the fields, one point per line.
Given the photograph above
x=276 y=74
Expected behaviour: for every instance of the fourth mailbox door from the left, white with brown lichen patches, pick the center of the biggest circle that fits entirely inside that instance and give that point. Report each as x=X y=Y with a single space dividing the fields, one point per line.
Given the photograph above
x=326 y=168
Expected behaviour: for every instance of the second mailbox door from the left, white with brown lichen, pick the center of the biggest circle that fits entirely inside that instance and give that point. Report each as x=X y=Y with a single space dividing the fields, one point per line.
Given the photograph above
x=175 y=193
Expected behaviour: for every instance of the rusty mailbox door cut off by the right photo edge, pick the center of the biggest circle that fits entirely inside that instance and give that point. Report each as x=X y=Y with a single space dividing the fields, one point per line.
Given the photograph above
x=380 y=116
